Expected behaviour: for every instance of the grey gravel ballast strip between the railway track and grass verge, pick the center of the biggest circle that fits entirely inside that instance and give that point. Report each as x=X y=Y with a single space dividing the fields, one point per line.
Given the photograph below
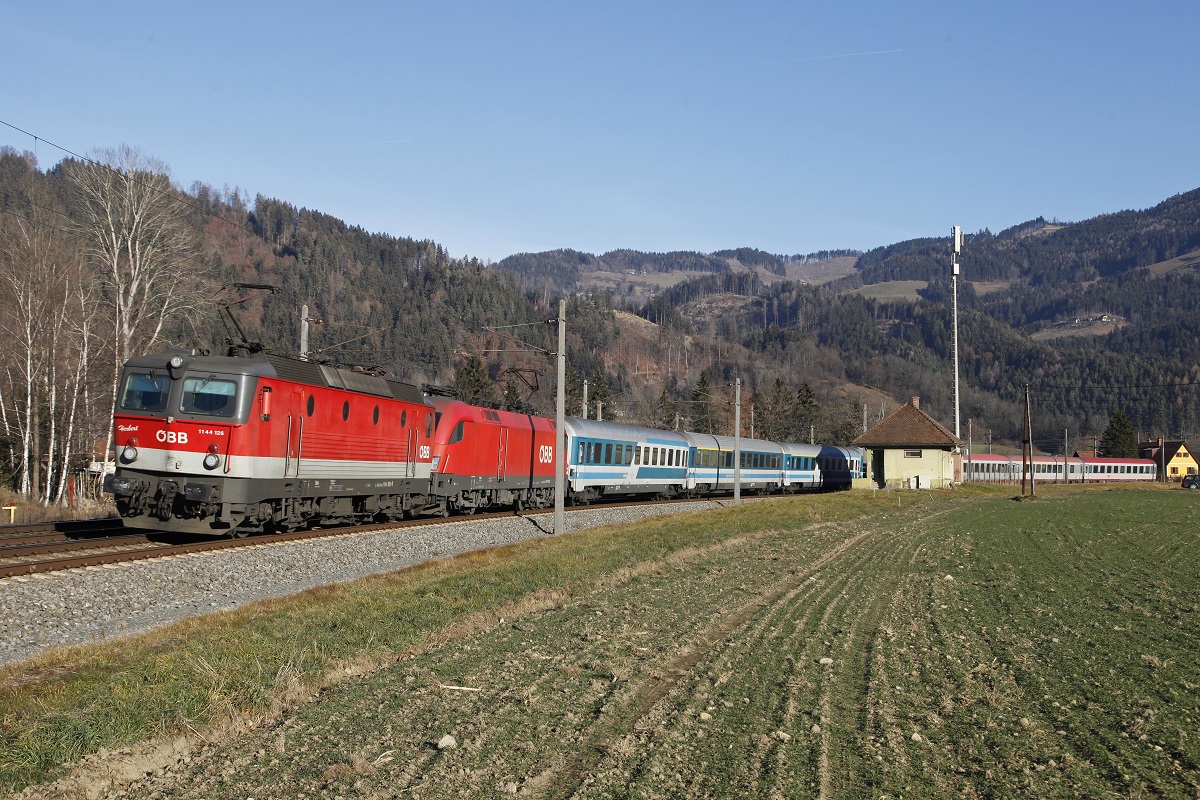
x=43 y=612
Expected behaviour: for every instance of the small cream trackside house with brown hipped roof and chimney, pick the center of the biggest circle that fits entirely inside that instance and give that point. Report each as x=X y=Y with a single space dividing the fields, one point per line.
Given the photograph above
x=909 y=449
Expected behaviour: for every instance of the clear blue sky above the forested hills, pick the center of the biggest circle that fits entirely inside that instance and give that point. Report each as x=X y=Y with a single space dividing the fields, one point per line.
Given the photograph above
x=500 y=128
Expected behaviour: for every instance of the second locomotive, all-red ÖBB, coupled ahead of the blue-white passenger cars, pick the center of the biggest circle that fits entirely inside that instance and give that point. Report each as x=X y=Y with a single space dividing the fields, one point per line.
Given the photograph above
x=485 y=458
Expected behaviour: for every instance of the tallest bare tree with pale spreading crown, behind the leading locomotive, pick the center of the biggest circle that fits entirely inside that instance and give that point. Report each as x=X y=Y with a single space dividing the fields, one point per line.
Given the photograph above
x=142 y=248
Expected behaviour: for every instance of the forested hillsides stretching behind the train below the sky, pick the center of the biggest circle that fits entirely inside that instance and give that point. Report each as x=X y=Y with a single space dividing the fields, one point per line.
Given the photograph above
x=85 y=284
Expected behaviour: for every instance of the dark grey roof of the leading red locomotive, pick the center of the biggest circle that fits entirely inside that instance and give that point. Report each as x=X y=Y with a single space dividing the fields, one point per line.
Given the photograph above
x=286 y=369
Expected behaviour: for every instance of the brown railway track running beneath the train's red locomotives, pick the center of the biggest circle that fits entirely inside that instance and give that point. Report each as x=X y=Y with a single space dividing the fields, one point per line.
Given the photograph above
x=43 y=549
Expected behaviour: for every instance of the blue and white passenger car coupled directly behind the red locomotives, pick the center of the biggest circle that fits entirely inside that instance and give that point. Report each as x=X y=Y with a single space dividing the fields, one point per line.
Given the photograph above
x=609 y=459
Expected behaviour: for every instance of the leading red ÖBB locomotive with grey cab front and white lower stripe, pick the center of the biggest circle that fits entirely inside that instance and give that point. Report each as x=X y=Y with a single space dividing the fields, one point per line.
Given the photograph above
x=235 y=446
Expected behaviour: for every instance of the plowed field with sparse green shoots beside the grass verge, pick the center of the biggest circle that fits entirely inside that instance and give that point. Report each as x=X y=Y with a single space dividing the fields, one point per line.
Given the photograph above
x=968 y=647
